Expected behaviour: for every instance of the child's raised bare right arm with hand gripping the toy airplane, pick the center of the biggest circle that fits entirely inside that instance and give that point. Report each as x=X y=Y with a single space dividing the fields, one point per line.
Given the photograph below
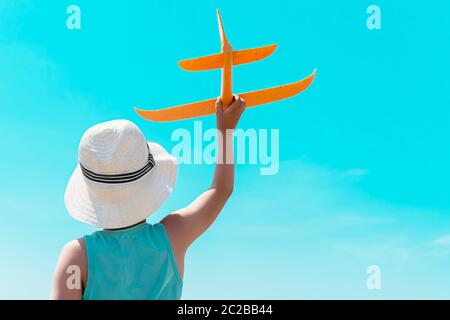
x=187 y=224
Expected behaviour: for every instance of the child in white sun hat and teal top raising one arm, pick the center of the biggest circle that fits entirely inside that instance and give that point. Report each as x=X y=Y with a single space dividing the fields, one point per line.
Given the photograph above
x=119 y=181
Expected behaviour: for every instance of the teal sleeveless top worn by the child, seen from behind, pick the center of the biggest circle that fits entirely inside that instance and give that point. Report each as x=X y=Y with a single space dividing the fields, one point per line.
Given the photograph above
x=134 y=263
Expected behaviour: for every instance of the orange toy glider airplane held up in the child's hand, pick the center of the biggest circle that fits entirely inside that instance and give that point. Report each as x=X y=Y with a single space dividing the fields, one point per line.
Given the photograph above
x=226 y=60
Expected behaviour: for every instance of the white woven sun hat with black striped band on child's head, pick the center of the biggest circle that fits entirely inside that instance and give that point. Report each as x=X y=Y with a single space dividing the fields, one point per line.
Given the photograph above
x=120 y=179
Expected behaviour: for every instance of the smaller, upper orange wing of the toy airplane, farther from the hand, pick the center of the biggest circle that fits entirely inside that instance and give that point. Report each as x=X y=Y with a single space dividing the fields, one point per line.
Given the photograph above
x=215 y=61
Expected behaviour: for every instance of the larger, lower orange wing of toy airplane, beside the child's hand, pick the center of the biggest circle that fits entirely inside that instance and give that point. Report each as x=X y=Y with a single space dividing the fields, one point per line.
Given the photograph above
x=207 y=107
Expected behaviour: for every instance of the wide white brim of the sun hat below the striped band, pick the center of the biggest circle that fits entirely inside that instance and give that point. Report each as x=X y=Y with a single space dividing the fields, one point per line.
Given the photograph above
x=112 y=206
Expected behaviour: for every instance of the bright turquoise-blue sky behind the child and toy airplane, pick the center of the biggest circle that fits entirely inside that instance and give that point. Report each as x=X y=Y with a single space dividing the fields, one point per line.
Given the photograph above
x=364 y=152
